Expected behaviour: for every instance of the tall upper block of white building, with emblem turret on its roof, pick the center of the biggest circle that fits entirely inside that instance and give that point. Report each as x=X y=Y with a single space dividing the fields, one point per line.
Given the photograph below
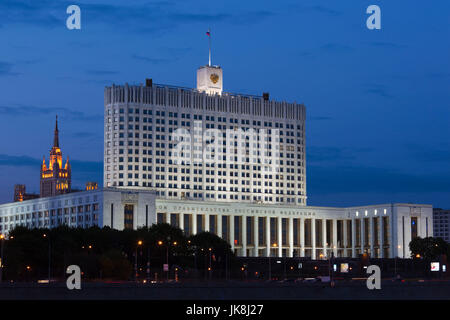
x=140 y=148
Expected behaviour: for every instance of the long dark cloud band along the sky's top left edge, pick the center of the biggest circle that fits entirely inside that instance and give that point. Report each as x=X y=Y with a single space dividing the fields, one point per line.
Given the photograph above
x=151 y=17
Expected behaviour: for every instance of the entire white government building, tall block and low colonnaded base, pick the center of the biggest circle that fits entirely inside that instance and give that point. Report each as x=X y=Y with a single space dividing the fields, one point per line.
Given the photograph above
x=259 y=212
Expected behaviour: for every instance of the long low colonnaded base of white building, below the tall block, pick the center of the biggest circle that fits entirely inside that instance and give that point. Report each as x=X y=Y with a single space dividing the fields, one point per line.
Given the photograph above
x=382 y=231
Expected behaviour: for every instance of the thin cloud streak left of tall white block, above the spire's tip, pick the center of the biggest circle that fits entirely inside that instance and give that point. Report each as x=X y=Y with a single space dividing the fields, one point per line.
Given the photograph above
x=29 y=111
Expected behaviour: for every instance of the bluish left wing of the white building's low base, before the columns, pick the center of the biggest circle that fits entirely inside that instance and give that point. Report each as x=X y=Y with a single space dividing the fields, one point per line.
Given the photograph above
x=119 y=209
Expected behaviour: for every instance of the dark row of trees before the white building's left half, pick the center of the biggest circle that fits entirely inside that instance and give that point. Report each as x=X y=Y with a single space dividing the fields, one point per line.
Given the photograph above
x=31 y=254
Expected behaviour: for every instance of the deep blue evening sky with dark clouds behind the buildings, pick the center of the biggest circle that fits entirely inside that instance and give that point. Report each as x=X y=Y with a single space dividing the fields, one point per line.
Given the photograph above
x=377 y=101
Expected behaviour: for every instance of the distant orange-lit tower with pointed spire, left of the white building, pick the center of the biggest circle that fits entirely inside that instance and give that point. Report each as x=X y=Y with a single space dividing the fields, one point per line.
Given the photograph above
x=55 y=178
